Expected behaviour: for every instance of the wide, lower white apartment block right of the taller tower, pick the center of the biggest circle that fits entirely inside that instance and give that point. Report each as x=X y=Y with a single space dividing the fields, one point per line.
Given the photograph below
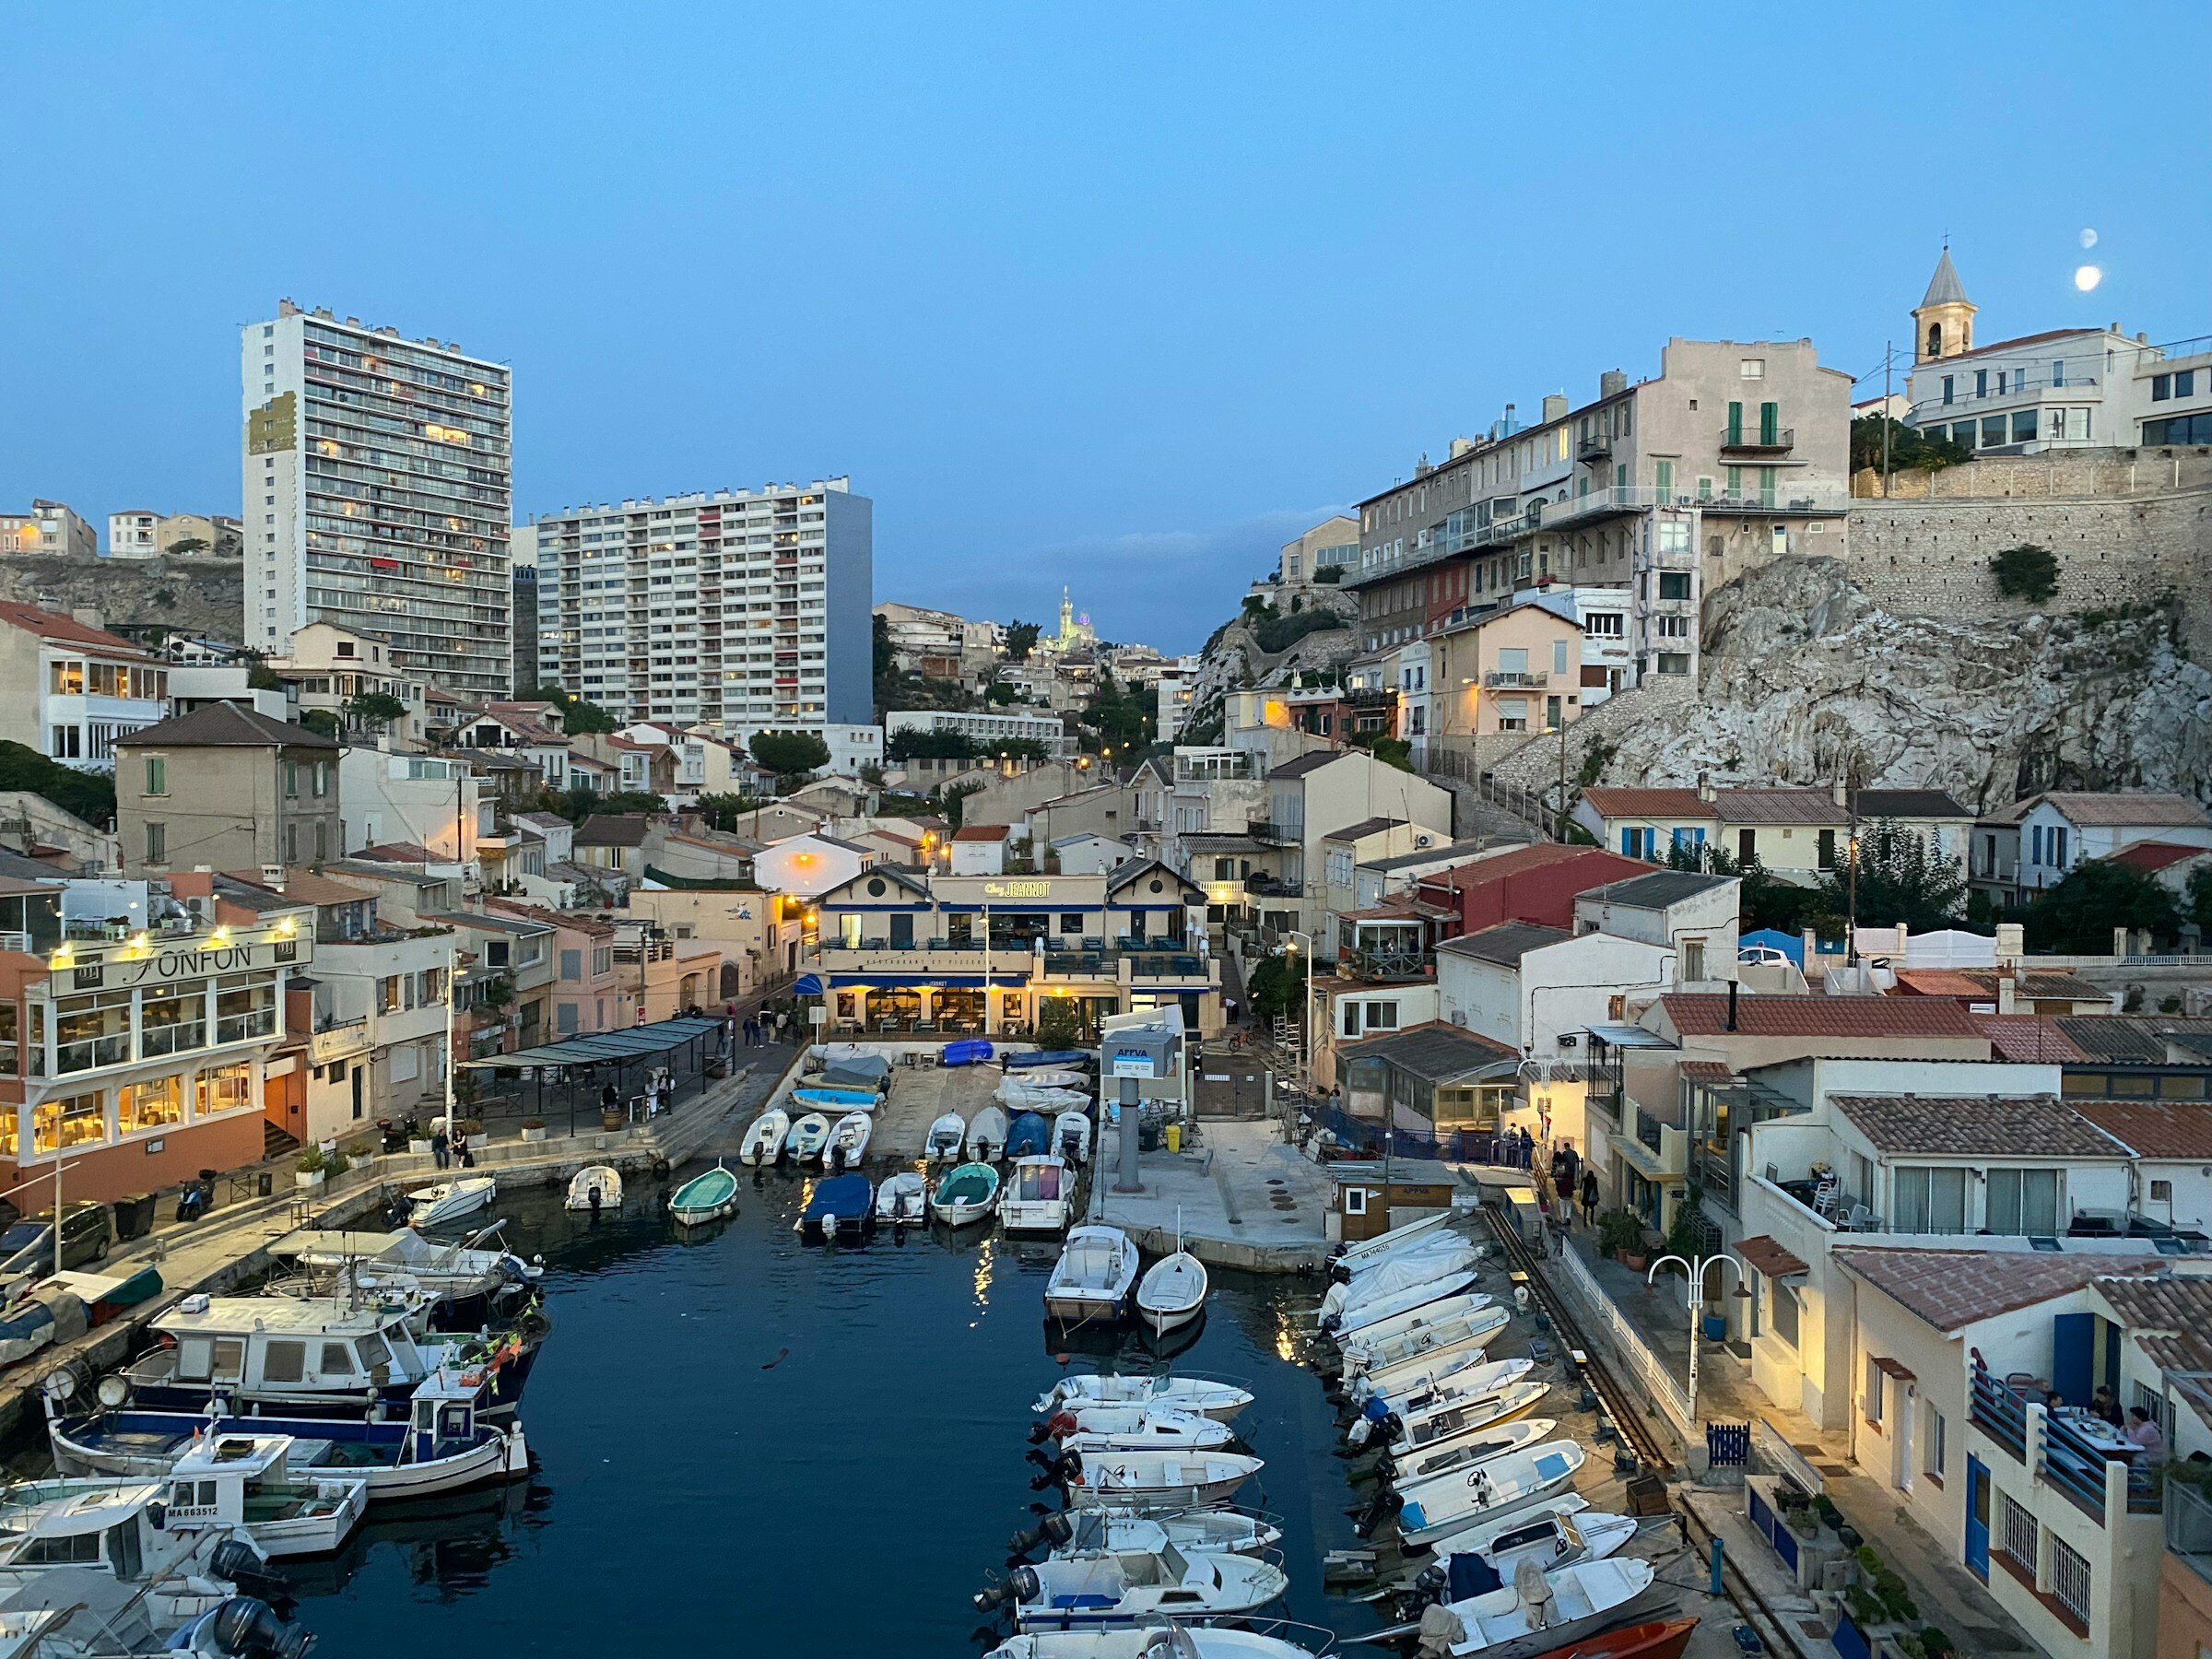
x=742 y=609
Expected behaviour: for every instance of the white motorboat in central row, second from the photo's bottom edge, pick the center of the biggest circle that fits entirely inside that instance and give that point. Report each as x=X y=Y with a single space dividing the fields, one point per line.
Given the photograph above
x=1118 y=1589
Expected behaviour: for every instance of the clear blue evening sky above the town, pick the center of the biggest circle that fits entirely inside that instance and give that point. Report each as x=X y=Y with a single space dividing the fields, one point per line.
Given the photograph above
x=1118 y=300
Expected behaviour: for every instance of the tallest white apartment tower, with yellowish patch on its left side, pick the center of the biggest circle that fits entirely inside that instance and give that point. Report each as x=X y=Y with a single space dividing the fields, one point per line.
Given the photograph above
x=377 y=481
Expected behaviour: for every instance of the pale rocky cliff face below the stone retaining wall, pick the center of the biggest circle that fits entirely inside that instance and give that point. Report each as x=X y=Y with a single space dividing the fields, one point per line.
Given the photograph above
x=1804 y=676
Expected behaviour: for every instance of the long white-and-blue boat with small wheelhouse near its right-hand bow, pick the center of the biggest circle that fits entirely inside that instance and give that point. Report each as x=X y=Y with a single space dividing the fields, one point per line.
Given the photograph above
x=437 y=1443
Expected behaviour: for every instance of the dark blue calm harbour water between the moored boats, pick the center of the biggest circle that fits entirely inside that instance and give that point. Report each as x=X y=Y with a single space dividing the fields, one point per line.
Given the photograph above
x=804 y=1450
